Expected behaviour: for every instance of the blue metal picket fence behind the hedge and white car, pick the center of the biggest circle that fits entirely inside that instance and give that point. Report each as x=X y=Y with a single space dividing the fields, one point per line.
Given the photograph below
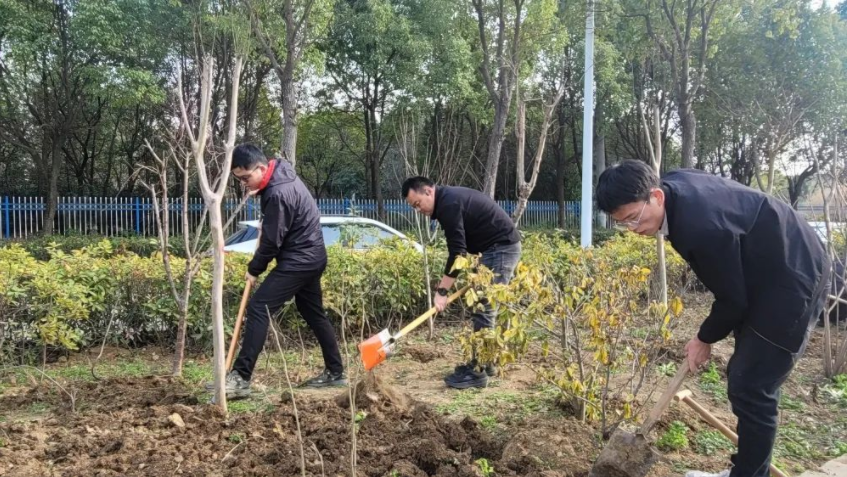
x=21 y=217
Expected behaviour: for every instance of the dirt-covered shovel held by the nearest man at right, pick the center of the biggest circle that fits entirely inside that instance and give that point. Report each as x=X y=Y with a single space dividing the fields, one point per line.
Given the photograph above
x=630 y=455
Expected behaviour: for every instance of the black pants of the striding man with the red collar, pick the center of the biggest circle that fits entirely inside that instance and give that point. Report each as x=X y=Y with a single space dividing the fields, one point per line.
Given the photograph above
x=278 y=288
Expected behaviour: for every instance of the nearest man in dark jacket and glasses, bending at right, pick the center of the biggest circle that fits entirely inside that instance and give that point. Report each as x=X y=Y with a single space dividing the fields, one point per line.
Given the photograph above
x=765 y=266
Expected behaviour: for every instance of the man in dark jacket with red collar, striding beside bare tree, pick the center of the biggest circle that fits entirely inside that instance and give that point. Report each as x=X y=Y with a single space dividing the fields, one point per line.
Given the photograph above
x=291 y=234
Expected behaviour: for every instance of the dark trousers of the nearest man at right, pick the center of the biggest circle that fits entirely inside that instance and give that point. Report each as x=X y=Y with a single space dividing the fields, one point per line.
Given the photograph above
x=756 y=372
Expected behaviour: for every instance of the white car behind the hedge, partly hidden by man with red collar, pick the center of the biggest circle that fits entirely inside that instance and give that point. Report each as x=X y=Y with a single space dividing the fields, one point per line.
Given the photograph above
x=367 y=233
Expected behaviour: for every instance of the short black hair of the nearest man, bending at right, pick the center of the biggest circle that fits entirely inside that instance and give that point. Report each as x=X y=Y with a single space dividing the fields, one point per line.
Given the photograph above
x=624 y=183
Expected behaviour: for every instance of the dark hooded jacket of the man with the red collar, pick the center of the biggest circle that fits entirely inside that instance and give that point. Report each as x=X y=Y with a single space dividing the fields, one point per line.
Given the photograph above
x=291 y=225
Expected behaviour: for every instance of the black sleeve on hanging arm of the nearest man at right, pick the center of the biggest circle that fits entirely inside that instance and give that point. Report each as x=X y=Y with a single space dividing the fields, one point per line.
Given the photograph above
x=722 y=267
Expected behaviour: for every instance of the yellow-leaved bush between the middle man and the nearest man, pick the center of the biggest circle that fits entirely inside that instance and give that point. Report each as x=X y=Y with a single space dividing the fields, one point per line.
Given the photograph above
x=590 y=316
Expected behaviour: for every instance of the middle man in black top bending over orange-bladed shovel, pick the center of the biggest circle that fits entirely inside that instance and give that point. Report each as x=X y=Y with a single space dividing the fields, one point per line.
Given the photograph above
x=472 y=223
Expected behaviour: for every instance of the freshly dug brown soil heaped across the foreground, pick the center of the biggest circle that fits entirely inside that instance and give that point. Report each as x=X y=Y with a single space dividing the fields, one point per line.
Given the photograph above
x=154 y=427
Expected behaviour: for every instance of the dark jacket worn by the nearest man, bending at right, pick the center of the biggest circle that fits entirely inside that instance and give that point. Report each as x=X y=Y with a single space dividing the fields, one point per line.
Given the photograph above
x=763 y=262
